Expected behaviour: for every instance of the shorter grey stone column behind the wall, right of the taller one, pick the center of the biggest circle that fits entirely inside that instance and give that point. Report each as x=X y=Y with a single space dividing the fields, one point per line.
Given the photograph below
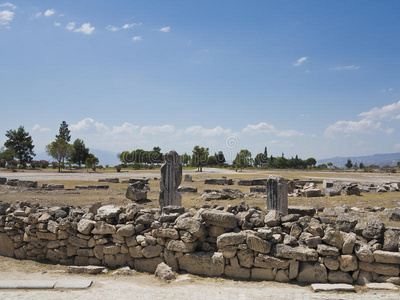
x=277 y=194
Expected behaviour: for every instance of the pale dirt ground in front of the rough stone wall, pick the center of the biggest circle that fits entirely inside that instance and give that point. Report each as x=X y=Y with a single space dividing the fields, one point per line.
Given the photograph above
x=147 y=286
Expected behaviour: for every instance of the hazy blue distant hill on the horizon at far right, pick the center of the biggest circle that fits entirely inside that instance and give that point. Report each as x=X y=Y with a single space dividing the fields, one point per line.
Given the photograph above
x=381 y=160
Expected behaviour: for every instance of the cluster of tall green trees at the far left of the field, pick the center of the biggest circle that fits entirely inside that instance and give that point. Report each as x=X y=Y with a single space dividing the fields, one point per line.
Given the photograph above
x=18 y=150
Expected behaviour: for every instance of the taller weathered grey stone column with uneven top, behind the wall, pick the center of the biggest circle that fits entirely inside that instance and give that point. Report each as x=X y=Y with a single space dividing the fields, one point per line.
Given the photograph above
x=171 y=177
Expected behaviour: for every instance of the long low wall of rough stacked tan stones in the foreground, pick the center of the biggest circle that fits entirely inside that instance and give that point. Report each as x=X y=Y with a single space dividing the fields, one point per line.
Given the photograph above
x=238 y=242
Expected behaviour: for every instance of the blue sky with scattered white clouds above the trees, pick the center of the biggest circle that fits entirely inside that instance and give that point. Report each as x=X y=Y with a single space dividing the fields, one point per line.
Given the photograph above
x=313 y=78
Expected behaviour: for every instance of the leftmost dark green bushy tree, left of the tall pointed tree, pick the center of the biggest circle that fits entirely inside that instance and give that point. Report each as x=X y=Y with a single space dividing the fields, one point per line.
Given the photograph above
x=21 y=144
